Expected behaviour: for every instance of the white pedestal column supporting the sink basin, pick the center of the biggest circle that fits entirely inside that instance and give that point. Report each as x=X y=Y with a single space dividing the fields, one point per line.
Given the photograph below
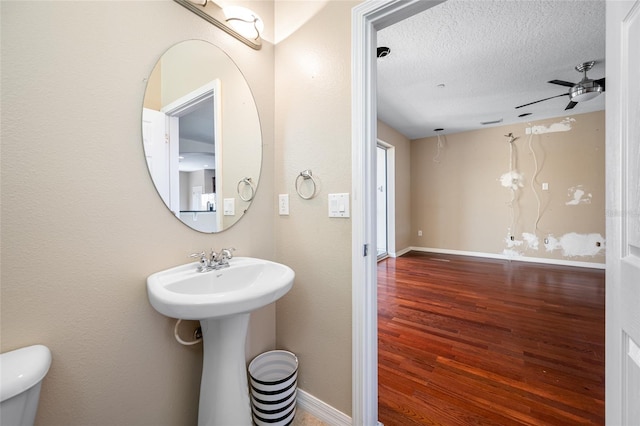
x=224 y=392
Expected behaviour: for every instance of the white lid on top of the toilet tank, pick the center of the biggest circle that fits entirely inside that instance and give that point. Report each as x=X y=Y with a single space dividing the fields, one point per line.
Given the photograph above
x=22 y=369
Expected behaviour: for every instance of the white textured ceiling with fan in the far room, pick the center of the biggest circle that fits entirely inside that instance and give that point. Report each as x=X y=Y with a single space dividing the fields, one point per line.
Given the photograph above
x=491 y=56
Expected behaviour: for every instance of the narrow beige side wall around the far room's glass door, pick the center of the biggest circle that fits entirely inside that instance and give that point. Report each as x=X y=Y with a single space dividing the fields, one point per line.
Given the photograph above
x=402 y=152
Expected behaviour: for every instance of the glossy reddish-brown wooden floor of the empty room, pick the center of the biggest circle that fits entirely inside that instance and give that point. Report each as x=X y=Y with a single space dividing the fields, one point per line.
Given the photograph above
x=472 y=341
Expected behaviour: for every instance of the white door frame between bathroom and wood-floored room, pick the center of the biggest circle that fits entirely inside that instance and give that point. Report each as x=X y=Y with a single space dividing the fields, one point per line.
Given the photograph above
x=366 y=19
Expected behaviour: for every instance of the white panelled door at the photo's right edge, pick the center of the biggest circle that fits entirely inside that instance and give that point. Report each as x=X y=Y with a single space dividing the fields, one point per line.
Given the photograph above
x=623 y=214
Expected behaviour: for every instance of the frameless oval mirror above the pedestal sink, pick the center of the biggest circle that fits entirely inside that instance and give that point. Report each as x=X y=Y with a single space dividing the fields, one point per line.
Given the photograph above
x=201 y=136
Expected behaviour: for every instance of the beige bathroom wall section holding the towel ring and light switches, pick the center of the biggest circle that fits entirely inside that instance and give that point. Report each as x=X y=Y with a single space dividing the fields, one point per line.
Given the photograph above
x=313 y=131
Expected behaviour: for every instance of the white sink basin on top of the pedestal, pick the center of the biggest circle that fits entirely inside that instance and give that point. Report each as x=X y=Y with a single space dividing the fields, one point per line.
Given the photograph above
x=246 y=285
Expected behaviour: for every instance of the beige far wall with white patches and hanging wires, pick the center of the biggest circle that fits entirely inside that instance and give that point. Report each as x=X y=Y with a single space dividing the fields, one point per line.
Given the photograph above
x=459 y=202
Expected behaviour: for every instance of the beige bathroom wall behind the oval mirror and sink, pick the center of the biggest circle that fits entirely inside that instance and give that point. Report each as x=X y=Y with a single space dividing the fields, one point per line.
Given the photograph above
x=82 y=225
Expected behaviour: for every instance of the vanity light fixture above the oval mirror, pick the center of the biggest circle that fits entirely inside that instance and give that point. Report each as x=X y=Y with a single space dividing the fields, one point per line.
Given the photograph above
x=239 y=22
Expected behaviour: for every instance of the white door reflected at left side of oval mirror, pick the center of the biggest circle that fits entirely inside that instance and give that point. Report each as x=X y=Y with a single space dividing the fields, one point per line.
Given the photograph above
x=156 y=150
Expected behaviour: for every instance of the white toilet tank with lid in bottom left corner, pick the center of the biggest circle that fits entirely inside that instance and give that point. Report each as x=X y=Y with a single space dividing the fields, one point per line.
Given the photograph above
x=21 y=373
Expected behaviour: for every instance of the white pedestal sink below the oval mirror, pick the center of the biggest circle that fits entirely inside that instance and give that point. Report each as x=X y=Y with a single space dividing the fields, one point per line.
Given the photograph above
x=222 y=300
